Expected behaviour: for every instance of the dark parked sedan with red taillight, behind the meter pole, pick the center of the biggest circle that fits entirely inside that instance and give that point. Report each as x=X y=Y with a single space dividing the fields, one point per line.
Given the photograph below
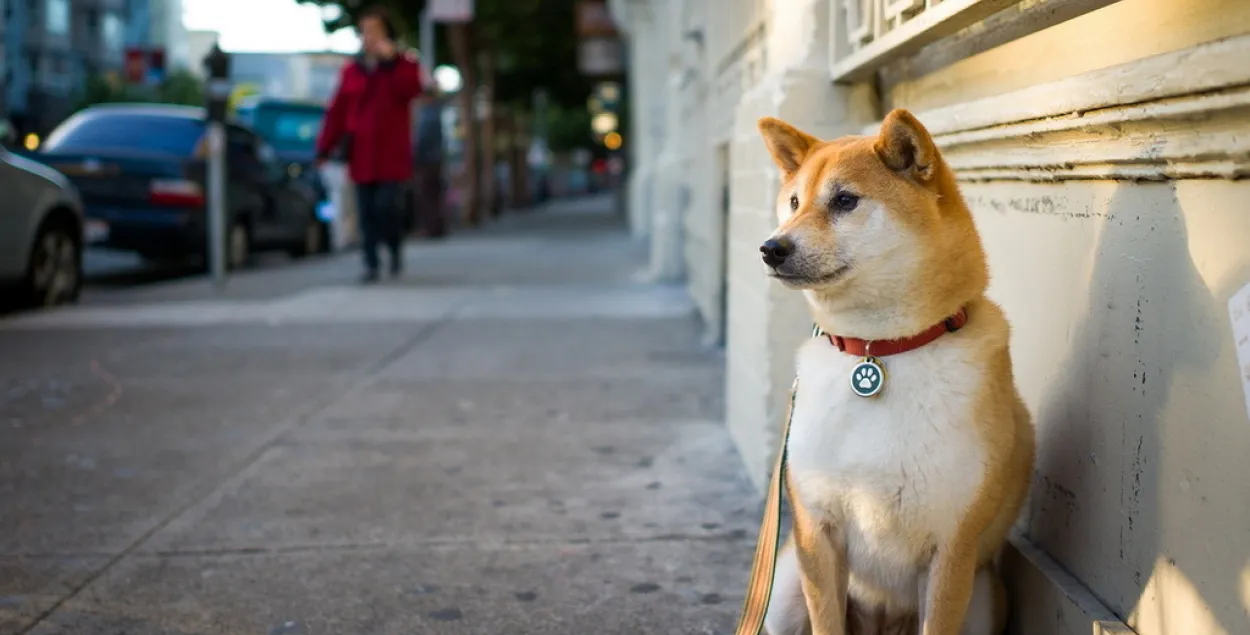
x=141 y=172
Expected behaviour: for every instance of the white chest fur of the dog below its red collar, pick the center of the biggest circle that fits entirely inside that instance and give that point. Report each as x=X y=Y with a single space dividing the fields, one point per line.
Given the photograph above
x=896 y=472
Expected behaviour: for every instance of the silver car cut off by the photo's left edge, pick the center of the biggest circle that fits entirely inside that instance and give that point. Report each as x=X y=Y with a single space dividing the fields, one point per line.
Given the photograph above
x=41 y=231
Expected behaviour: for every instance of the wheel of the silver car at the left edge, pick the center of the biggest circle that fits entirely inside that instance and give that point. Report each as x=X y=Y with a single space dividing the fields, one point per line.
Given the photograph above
x=54 y=274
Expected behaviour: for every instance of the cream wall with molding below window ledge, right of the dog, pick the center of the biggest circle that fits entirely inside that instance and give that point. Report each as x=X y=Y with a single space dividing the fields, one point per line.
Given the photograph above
x=1106 y=181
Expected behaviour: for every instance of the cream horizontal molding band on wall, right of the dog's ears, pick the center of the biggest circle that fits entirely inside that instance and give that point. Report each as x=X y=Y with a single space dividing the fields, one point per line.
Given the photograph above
x=1151 y=119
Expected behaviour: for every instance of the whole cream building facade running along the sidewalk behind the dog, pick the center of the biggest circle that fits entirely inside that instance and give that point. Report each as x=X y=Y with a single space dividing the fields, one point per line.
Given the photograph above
x=1103 y=148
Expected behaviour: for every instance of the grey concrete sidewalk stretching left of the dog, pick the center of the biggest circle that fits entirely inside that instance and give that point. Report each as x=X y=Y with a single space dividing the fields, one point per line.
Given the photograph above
x=518 y=438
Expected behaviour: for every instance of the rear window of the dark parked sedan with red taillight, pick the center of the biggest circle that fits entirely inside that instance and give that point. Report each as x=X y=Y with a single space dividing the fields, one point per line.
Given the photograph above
x=122 y=131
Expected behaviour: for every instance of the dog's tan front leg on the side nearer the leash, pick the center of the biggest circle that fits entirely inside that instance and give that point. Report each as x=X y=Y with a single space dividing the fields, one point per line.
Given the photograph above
x=822 y=553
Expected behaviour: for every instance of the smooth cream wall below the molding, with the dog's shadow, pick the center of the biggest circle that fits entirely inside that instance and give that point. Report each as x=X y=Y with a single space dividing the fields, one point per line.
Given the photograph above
x=1118 y=294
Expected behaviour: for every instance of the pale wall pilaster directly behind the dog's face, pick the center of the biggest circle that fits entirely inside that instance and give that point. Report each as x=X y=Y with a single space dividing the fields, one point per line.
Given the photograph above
x=767 y=322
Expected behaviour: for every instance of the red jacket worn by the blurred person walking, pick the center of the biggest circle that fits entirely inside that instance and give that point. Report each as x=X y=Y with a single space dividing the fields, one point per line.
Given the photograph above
x=373 y=109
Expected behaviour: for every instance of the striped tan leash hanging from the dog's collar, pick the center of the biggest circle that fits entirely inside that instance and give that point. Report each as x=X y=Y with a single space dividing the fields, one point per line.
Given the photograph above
x=759 y=591
